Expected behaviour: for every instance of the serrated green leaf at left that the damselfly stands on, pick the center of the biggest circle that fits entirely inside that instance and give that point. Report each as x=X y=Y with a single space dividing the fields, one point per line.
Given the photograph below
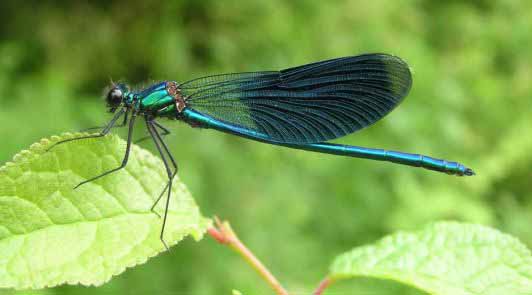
x=51 y=234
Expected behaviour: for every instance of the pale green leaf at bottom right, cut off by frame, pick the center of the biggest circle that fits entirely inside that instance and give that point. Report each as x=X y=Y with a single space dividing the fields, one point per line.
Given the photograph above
x=444 y=258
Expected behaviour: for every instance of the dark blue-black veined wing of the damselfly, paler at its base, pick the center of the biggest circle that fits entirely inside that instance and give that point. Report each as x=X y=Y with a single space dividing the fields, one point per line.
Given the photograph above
x=306 y=104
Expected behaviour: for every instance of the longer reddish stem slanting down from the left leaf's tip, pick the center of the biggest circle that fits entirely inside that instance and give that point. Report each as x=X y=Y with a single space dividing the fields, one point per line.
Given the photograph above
x=222 y=232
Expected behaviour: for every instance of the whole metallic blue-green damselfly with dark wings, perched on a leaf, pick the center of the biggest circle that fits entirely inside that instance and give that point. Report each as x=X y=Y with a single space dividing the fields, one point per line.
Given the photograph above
x=301 y=107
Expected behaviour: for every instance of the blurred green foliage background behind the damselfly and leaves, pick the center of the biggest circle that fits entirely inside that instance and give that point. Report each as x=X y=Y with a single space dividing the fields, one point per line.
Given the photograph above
x=472 y=67
